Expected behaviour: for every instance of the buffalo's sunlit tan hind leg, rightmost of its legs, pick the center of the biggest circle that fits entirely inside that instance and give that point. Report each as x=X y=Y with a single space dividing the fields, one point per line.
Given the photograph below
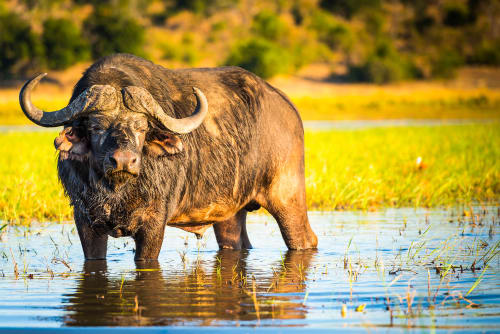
x=286 y=202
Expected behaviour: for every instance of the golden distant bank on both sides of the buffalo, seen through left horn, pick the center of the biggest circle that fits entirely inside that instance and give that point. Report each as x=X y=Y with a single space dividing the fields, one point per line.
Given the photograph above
x=326 y=101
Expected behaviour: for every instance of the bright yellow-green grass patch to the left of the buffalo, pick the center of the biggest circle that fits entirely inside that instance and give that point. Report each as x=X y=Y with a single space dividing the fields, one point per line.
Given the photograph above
x=29 y=188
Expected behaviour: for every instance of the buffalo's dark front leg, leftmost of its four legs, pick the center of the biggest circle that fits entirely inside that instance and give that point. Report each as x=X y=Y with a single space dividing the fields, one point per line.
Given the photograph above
x=94 y=244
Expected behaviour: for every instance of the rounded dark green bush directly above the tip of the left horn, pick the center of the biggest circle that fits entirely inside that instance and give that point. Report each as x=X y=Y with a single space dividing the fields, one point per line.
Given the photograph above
x=64 y=44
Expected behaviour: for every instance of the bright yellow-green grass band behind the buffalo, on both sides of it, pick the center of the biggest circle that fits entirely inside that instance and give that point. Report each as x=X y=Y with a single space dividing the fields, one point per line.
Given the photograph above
x=355 y=169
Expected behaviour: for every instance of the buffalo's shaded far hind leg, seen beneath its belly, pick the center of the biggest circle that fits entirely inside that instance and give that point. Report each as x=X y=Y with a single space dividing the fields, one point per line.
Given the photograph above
x=232 y=233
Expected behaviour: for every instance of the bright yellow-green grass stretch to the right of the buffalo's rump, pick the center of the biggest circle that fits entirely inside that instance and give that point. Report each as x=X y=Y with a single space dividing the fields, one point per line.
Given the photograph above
x=365 y=169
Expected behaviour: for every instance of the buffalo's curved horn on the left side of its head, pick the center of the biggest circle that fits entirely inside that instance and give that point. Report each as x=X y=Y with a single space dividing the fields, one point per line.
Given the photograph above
x=101 y=97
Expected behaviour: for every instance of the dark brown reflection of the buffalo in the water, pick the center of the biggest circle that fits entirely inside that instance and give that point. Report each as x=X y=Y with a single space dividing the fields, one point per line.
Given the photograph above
x=190 y=297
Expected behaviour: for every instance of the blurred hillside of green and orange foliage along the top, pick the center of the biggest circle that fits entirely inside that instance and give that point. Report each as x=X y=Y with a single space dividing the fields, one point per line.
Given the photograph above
x=376 y=41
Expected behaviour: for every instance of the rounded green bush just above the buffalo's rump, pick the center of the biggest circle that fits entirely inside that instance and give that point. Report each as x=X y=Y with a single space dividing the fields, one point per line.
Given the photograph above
x=261 y=57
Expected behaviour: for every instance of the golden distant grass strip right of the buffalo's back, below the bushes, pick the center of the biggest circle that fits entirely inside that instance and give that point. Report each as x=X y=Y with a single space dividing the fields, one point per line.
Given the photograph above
x=390 y=104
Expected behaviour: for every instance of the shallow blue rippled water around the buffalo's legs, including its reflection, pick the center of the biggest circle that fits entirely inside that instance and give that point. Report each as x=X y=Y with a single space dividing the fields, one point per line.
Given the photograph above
x=376 y=260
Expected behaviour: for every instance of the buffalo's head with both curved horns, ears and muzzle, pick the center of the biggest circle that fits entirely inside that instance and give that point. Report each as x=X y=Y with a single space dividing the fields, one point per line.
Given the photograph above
x=111 y=129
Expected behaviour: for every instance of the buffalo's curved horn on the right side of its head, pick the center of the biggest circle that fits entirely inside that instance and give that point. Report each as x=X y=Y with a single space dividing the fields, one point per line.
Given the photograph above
x=140 y=100
